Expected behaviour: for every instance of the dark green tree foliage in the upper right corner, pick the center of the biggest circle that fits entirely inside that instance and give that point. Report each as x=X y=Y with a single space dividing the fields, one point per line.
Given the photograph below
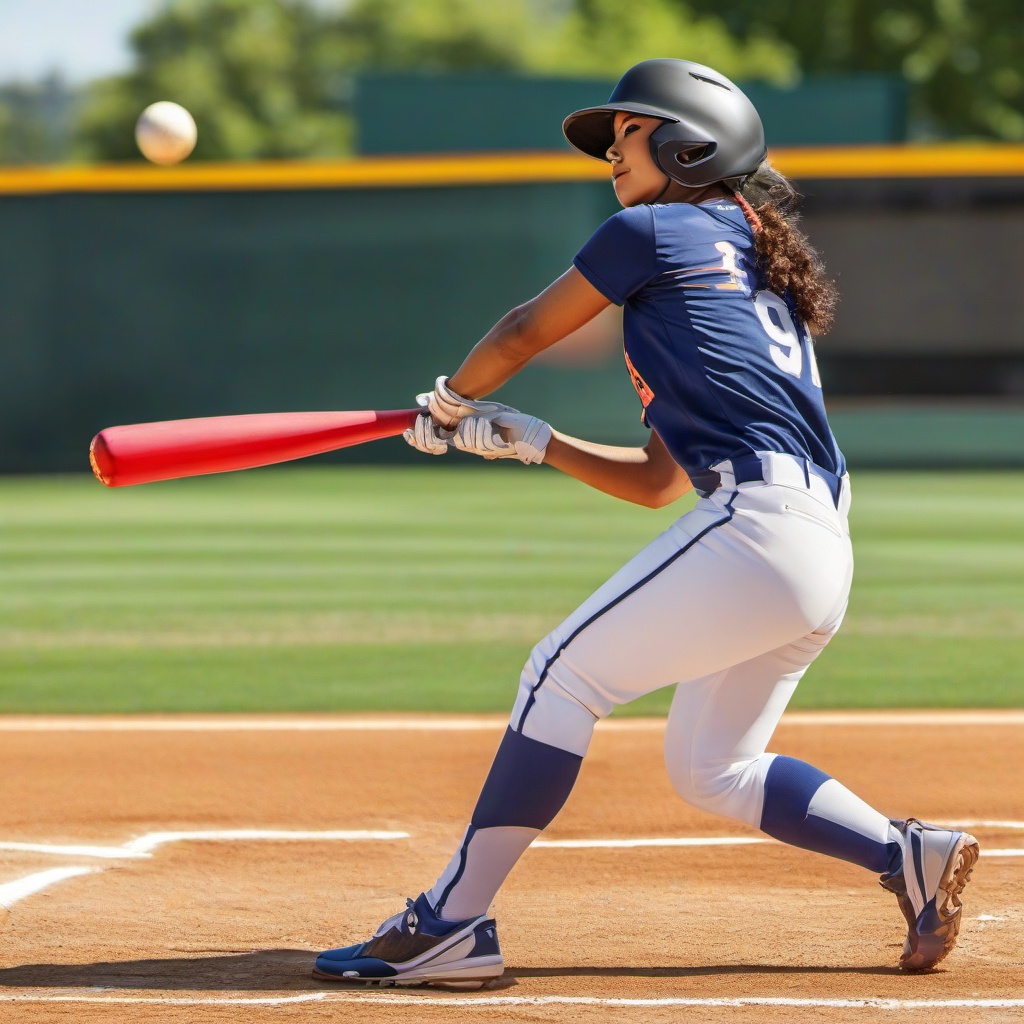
x=964 y=59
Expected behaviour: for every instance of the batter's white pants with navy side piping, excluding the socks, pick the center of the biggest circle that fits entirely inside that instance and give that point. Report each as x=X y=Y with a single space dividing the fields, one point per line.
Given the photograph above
x=732 y=604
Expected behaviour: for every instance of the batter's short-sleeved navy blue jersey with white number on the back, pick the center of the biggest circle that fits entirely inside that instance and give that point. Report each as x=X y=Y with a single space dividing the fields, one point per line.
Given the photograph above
x=722 y=366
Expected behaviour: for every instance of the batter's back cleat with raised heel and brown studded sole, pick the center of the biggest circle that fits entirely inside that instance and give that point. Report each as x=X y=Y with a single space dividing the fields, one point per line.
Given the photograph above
x=937 y=865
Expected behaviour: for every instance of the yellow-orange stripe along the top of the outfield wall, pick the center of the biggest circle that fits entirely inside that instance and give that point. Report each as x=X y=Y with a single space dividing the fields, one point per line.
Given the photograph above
x=484 y=169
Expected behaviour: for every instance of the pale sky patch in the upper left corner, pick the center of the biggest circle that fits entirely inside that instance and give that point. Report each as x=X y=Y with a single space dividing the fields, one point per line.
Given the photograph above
x=81 y=39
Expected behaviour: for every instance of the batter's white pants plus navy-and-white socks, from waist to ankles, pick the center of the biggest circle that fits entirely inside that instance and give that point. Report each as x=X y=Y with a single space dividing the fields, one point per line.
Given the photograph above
x=732 y=605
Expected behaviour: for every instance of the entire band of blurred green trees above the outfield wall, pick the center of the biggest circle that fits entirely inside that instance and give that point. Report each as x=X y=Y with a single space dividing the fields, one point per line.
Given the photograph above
x=271 y=78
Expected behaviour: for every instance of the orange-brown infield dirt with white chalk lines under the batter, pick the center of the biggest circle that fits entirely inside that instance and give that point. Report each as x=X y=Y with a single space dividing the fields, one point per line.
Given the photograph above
x=190 y=869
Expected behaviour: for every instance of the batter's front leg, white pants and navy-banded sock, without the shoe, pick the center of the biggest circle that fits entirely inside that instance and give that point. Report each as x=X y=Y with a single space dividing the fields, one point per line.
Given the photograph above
x=698 y=600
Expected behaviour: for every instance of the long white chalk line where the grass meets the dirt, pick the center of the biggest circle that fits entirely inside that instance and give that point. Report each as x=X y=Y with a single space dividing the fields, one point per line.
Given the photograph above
x=475 y=723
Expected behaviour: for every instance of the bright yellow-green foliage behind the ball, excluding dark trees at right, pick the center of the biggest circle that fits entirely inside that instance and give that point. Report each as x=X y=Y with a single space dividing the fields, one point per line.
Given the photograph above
x=269 y=78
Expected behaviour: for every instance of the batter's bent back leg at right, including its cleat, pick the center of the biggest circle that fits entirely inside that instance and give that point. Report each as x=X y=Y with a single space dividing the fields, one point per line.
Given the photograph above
x=719 y=729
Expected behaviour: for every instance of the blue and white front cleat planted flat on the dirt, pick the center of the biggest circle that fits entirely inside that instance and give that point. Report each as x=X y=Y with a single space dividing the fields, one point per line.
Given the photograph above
x=416 y=948
